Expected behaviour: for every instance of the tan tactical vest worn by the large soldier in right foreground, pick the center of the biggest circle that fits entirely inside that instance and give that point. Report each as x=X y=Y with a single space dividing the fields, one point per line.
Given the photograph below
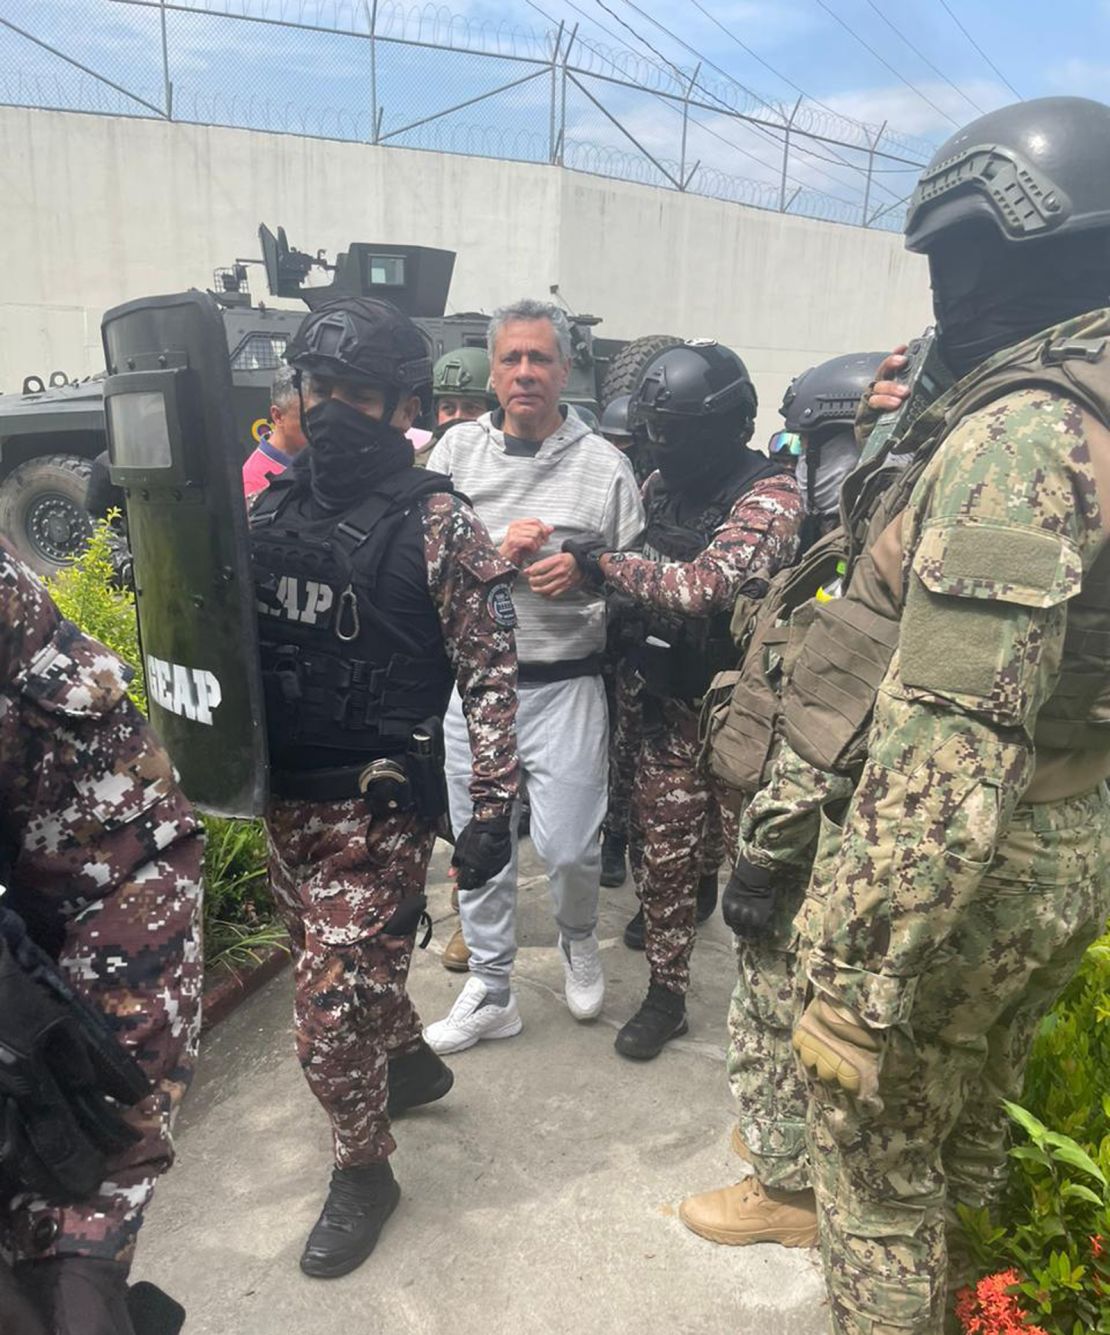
x=831 y=692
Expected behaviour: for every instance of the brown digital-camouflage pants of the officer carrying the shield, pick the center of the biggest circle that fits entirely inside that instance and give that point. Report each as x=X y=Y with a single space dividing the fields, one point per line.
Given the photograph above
x=337 y=878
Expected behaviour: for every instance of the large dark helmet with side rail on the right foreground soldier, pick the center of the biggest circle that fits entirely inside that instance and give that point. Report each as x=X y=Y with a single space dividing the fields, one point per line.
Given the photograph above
x=1035 y=170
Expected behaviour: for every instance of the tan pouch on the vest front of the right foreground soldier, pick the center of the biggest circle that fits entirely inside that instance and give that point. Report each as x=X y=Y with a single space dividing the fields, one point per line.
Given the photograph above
x=830 y=698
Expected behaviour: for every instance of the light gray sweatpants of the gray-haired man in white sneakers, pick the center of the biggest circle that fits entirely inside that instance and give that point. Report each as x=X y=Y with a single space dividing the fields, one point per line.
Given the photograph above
x=563 y=739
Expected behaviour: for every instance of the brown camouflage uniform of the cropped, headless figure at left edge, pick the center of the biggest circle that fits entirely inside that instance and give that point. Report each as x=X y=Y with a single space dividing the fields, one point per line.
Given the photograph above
x=104 y=862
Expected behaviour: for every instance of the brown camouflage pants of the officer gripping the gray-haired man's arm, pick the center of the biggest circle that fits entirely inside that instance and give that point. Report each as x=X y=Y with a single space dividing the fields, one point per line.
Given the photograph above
x=675 y=807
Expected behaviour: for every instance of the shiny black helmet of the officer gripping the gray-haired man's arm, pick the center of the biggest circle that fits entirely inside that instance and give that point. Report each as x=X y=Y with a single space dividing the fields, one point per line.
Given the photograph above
x=701 y=380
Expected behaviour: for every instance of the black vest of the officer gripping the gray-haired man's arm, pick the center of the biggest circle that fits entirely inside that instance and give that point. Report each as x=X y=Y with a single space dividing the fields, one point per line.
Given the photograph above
x=681 y=656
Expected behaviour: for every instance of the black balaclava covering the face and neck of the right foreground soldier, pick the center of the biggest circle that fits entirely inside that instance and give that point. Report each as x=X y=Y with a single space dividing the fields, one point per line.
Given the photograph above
x=989 y=294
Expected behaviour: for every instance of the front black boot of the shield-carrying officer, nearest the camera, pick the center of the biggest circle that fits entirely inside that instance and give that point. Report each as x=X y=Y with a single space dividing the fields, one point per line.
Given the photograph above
x=359 y=1205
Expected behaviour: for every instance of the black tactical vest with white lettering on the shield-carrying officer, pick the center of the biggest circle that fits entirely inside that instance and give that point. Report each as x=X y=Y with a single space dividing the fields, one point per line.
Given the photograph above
x=353 y=652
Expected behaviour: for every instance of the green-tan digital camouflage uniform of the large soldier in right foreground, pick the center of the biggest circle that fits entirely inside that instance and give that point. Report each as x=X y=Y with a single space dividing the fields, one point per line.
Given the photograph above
x=972 y=872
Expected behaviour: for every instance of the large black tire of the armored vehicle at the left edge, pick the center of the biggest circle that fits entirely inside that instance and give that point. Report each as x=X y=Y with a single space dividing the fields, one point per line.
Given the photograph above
x=42 y=511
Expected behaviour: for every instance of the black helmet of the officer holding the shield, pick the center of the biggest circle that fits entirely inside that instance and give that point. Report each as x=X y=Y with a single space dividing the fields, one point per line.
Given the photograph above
x=359 y=338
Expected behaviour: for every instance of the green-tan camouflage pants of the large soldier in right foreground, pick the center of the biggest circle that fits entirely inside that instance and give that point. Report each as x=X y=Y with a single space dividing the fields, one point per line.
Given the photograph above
x=889 y=1181
